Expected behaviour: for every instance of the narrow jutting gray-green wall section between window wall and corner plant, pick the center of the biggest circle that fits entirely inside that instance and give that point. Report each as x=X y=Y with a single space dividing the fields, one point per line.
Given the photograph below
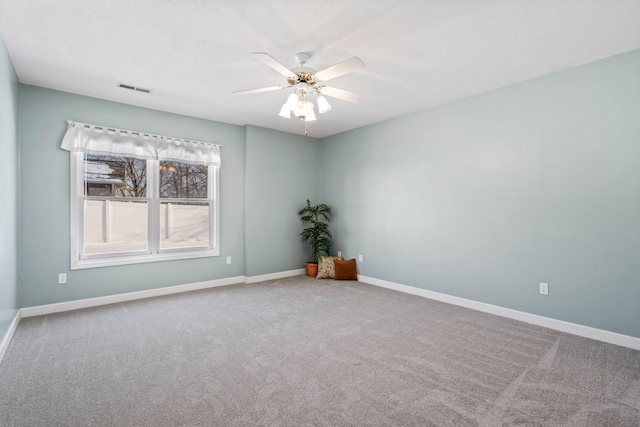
x=281 y=172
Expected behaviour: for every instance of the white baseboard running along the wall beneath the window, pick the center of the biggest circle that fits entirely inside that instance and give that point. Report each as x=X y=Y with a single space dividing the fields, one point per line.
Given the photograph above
x=130 y=296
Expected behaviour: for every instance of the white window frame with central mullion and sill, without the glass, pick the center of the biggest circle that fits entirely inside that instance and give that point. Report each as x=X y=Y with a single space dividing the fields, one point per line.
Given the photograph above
x=154 y=253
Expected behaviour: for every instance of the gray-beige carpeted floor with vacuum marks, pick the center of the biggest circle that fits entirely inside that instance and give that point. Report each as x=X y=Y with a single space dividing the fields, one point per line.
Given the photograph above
x=306 y=352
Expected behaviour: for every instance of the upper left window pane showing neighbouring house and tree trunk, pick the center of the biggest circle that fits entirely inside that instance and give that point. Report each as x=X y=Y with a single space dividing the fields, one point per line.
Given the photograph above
x=113 y=176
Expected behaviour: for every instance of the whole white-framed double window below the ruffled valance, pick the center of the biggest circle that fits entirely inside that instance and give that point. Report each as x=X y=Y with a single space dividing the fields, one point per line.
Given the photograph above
x=126 y=209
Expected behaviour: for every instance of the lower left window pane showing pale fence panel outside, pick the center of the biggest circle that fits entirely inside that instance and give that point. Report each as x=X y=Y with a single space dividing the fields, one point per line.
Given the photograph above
x=112 y=226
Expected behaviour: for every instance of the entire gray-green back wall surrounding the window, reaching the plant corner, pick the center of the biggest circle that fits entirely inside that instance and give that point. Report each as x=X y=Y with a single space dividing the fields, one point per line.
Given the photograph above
x=274 y=189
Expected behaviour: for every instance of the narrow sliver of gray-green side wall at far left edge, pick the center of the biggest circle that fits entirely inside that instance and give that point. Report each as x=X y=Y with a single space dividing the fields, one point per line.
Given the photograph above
x=9 y=191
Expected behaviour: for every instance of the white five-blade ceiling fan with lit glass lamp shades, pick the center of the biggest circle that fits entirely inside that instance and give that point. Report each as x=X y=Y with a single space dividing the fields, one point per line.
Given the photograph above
x=304 y=82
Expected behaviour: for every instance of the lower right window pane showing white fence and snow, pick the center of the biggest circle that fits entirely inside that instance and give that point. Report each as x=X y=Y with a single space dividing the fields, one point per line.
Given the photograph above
x=184 y=225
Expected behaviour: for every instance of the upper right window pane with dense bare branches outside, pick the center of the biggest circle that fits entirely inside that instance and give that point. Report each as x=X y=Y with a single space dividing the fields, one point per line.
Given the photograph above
x=183 y=180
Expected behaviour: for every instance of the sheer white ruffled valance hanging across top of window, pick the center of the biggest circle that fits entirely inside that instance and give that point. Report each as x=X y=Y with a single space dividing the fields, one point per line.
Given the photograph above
x=108 y=141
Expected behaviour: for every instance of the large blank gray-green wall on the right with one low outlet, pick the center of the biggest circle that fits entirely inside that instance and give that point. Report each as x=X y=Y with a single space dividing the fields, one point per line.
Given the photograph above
x=486 y=197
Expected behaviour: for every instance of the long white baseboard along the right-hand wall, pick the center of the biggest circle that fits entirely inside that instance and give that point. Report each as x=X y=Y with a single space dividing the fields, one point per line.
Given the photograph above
x=547 y=322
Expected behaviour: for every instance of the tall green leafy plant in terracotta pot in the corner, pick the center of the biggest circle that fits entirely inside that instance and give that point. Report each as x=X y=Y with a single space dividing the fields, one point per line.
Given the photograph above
x=315 y=219
